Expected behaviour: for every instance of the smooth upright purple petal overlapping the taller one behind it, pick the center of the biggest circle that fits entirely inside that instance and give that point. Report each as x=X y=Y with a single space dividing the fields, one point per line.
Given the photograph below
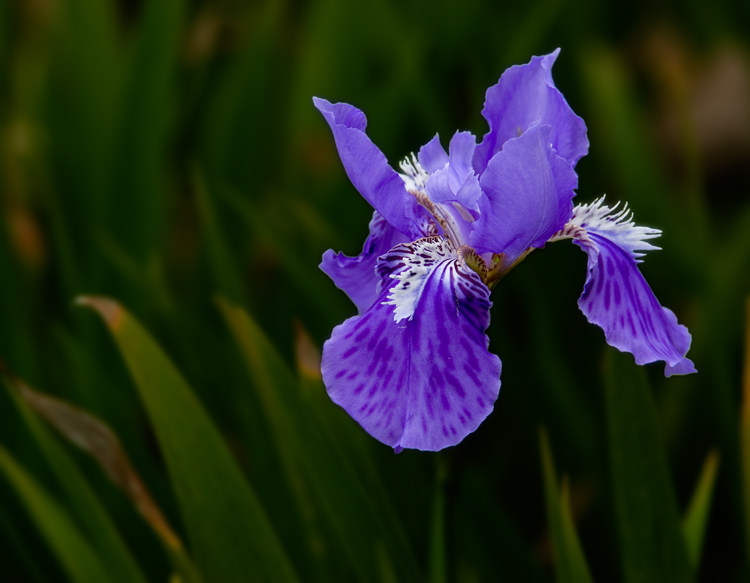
x=529 y=191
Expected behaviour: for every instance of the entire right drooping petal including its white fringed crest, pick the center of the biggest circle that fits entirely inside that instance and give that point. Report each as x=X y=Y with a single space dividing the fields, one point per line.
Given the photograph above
x=616 y=297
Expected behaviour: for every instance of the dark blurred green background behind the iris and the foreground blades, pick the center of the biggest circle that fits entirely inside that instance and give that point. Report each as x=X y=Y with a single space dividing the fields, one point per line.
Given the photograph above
x=161 y=153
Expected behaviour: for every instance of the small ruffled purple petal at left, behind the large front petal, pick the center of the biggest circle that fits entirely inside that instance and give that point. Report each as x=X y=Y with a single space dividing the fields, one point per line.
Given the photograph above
x=356 y=275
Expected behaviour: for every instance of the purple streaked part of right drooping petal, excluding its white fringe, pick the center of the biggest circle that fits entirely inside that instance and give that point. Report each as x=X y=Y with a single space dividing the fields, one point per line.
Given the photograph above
x=617 y=298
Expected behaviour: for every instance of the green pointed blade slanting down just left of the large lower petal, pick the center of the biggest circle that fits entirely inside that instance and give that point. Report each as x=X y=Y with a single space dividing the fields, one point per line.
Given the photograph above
x=352 y=498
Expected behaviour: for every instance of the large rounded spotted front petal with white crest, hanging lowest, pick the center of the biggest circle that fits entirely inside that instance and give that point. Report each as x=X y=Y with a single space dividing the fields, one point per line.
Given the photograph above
x=414 y=370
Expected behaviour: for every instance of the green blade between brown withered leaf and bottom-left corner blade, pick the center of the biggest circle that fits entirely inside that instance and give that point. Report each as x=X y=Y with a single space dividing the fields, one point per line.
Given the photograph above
x=81 y=500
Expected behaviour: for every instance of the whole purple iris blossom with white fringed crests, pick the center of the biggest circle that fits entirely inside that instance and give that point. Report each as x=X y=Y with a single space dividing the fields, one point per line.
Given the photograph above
x=413 y=368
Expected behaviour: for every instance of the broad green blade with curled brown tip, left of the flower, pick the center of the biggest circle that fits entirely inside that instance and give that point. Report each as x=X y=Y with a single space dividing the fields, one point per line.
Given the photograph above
x=231 y=536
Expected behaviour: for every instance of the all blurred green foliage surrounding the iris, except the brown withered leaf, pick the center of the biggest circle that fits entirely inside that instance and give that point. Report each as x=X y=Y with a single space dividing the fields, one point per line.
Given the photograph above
x=166 y=154
